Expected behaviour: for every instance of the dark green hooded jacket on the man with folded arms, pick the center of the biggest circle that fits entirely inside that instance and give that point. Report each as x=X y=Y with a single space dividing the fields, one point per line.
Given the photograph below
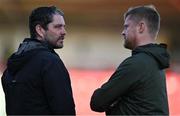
x=138 y=86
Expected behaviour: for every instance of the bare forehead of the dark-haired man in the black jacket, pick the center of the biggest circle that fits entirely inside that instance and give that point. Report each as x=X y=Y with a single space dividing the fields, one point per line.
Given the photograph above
x=58 y=19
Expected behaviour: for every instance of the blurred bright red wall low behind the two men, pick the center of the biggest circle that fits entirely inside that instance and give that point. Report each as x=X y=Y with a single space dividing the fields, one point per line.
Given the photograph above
x=84 y=82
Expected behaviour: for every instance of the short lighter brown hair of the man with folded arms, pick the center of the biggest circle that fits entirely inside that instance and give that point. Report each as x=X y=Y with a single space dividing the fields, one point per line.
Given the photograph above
x=147 y=13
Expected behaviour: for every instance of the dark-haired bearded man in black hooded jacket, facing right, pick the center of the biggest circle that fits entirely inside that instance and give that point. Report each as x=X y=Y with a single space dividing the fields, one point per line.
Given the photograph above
x=36 y=82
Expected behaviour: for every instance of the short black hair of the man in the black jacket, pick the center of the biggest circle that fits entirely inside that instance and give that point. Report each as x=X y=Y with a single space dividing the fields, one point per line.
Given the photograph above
x=42 y=16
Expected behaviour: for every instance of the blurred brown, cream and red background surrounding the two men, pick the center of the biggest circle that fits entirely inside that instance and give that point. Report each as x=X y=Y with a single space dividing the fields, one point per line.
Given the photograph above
x=93 y=46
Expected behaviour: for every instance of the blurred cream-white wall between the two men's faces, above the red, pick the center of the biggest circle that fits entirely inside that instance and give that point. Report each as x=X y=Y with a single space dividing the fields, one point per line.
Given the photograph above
x=88 y=48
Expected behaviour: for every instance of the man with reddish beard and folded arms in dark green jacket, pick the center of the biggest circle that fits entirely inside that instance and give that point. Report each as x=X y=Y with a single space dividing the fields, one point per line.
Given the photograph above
x=138 y=86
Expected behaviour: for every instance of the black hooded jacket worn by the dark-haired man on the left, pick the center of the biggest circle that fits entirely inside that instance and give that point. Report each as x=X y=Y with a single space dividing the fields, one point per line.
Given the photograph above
x=37 y=82
